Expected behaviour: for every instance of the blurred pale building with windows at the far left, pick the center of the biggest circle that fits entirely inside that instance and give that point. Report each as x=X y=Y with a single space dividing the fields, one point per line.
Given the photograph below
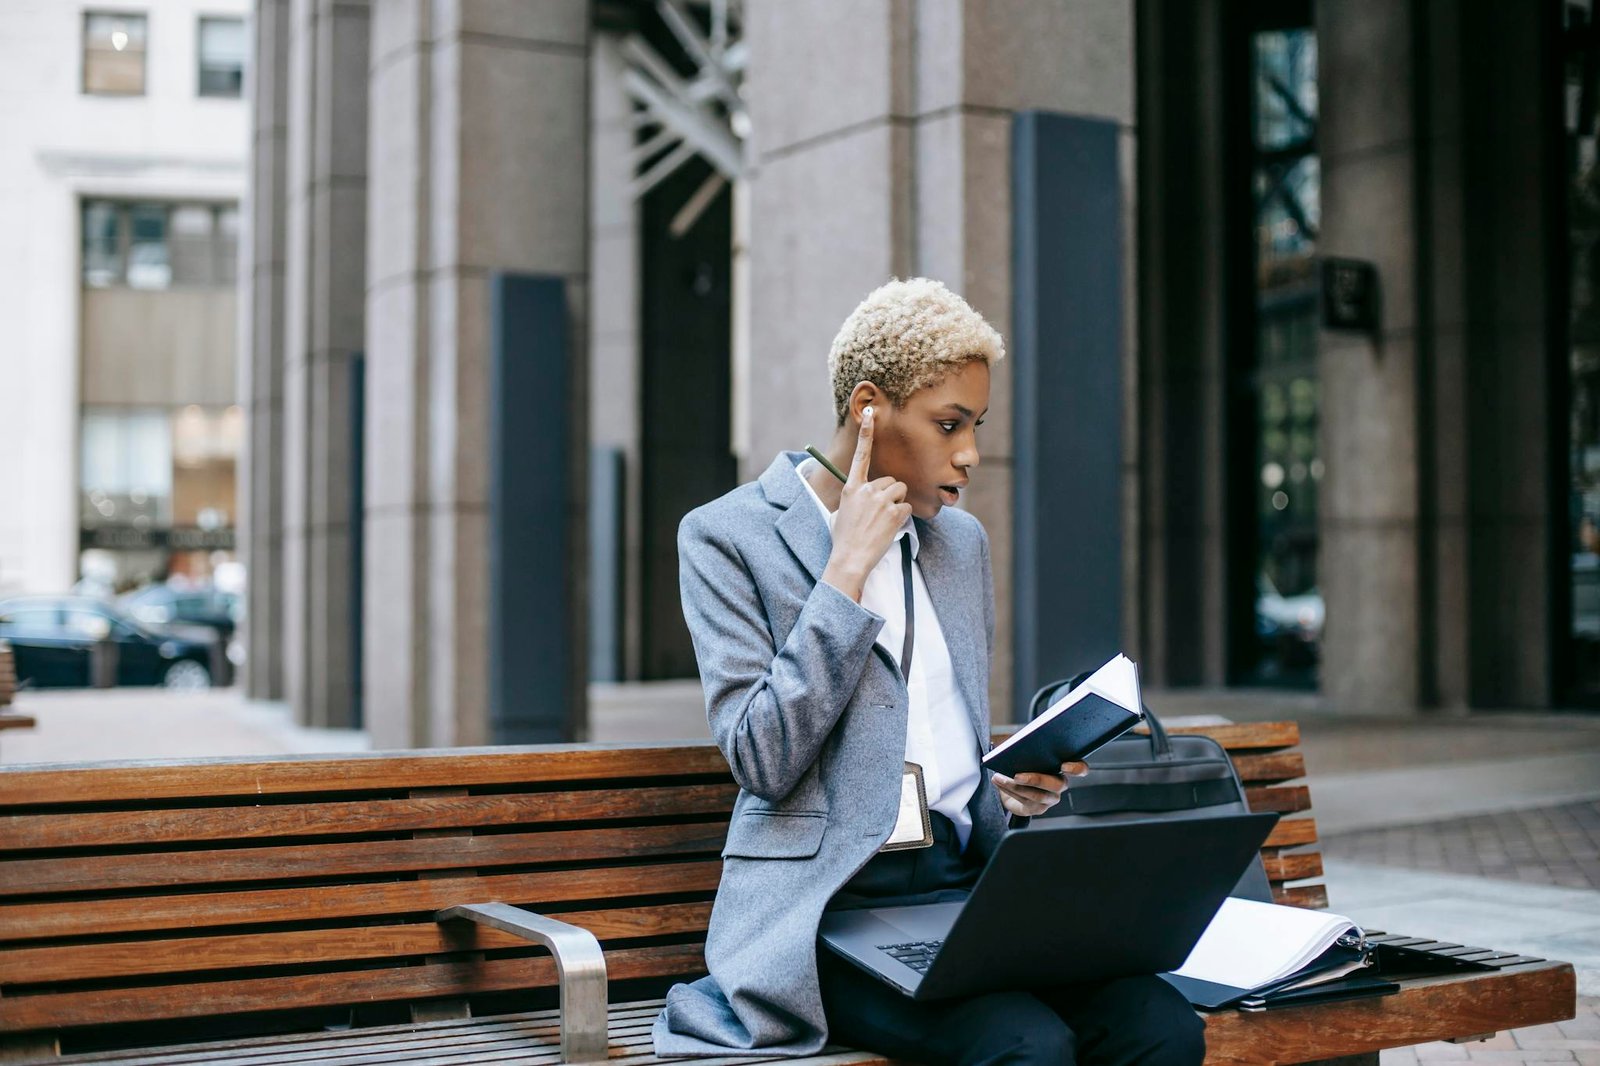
x=122 y=172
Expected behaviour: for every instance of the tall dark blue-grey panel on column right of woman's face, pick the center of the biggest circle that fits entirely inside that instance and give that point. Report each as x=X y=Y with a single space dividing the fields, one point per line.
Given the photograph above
x=1066 y=343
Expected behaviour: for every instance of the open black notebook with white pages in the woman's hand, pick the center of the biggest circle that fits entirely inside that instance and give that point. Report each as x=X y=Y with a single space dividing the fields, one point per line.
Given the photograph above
x=1105 y=707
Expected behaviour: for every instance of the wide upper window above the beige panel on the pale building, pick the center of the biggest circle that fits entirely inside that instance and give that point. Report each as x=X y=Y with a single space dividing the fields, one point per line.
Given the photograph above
x=159 y=246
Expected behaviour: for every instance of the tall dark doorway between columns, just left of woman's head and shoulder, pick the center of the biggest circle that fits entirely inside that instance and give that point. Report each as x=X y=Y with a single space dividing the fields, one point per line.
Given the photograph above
x=686 y=348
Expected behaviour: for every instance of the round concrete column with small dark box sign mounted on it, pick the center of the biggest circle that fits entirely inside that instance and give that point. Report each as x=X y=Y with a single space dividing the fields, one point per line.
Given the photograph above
x=1370 y=495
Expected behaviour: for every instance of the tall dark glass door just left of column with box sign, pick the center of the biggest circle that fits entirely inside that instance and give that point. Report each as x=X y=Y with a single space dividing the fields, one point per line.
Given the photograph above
x=1276 y=383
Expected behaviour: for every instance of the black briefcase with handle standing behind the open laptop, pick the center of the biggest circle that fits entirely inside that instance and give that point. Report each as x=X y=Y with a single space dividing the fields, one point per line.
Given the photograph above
x=1154 y=777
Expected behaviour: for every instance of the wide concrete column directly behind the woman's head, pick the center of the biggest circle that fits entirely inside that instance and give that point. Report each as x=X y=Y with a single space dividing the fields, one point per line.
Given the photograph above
x=882 y=146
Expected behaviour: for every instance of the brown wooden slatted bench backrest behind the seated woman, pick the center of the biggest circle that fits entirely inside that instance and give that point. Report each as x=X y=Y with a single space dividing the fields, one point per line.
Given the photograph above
x=201 y=889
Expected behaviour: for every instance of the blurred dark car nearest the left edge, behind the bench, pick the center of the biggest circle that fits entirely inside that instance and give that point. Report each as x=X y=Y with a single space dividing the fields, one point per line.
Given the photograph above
x=55 y=638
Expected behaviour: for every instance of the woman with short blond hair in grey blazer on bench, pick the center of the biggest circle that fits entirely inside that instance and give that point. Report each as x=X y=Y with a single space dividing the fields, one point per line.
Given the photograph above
x=844 y=631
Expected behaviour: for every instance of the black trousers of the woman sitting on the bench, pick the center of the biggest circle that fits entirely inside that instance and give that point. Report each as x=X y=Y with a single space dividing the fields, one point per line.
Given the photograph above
x=1130 y=1020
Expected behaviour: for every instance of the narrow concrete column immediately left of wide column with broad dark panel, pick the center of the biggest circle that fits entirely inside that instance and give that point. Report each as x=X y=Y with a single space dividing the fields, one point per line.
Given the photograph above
x=324 y=329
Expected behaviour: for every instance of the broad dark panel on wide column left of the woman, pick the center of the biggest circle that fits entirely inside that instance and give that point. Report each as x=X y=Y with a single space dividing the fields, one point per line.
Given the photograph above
x=532 y=641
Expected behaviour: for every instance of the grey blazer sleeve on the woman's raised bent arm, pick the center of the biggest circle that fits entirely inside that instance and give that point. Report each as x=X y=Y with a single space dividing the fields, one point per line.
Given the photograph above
x=770 y=708
